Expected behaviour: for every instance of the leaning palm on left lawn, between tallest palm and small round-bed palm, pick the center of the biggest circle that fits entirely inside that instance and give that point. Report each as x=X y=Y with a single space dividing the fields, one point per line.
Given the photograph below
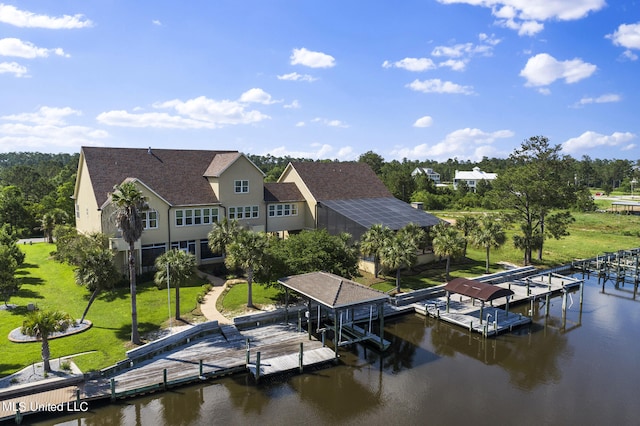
x=97 y=272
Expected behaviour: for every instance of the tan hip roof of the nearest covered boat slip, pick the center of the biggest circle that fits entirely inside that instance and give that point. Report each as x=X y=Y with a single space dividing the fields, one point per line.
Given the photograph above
x=333 y=290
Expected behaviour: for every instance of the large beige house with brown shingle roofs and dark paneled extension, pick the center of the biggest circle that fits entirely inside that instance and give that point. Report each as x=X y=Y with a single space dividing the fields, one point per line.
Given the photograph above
x=189 y=190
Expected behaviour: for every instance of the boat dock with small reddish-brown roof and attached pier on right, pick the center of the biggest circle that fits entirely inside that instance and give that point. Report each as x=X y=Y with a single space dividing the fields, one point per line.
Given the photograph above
x=465 y=302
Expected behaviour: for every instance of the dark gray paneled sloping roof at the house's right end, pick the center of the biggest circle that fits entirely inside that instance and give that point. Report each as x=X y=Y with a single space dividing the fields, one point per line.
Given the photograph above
x=388 y=211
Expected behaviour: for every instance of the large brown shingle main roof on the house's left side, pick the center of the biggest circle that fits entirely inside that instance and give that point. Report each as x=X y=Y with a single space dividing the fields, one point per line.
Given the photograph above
x=175 y=175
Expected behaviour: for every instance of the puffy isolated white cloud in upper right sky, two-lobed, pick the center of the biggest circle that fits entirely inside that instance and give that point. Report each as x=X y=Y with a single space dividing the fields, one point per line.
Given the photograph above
x=543 y=69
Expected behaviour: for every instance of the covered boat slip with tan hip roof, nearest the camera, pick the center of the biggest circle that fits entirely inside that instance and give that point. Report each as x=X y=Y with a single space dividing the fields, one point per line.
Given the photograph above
x=349 y=309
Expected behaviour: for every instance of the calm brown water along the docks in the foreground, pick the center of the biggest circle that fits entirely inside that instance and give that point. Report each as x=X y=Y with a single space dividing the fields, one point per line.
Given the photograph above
x=583 y=371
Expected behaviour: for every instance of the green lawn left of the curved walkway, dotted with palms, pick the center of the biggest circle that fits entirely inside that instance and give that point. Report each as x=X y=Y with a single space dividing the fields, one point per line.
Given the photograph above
x=50 y=285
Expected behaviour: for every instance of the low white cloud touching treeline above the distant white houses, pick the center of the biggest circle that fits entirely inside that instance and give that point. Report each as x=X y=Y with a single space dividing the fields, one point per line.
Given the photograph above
x=466 y=143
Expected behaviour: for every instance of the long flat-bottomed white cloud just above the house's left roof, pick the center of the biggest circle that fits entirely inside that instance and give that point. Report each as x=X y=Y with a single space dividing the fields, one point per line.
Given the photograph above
x=196 y=113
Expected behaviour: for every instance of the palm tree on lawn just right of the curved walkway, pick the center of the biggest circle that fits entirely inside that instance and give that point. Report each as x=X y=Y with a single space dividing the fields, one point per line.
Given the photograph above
x=247 y=251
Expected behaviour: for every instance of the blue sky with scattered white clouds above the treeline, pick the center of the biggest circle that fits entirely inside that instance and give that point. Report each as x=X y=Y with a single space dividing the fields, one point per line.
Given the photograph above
x=430 y=79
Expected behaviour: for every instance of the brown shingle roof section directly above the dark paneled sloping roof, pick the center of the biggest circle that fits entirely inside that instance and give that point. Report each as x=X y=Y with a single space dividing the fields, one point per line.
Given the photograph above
x=340 y=181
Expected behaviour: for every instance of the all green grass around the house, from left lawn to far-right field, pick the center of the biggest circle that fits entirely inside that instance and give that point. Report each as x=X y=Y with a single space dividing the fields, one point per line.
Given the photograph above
x=51 y=285
